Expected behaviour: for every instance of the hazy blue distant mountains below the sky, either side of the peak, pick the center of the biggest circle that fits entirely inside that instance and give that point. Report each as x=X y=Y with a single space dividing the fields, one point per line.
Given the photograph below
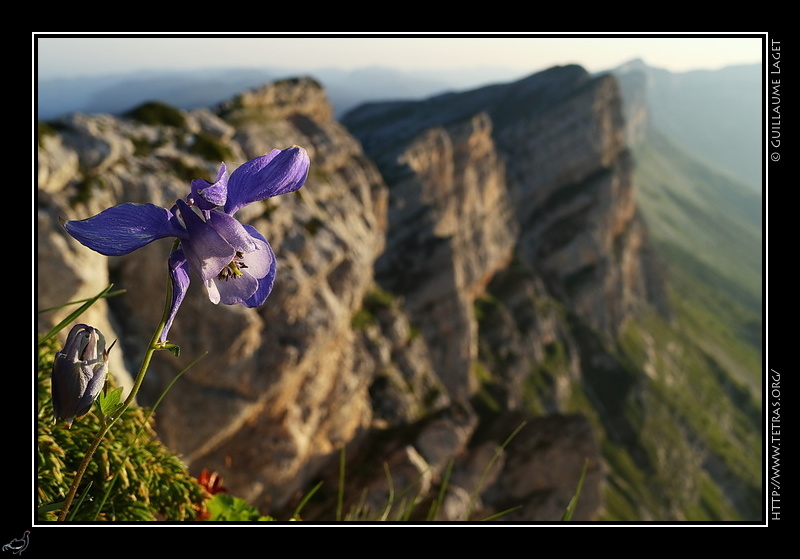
x=715 y=114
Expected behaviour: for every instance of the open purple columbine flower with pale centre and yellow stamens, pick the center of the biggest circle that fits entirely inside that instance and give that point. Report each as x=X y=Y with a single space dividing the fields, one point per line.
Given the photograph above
x=233 y=260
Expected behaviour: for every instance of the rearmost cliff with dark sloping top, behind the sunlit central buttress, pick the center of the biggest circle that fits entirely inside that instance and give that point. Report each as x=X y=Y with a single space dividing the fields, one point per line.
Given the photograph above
x=560 y=136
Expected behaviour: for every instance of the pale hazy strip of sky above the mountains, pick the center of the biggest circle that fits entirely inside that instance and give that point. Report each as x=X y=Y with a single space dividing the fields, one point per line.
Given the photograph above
x=72 y=56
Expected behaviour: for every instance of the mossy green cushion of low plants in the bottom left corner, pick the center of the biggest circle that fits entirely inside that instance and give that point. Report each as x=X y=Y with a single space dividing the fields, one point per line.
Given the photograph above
x=133 y=476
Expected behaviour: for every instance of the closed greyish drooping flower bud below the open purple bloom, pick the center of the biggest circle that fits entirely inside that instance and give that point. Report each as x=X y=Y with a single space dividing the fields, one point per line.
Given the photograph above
x=79 y=372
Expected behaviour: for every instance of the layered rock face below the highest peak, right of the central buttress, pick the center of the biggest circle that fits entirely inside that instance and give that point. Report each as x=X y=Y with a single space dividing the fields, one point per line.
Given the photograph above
x=571 y=181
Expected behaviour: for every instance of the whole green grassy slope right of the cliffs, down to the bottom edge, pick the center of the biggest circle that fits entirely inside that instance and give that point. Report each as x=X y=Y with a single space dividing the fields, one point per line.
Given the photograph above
x=699 y=417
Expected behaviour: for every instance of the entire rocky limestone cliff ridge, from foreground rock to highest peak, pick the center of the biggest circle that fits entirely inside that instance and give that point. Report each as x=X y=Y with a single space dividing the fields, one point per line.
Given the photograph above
x=453 y=270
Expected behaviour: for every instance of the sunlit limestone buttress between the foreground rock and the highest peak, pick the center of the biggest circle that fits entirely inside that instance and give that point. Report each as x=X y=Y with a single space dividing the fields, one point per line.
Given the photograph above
x=450 y=231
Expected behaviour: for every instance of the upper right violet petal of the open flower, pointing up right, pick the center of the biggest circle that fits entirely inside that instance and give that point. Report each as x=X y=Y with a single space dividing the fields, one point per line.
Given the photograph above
x=278 y=172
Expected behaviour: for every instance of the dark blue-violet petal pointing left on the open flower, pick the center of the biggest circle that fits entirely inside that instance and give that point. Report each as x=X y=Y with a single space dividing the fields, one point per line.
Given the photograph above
x=123 y=229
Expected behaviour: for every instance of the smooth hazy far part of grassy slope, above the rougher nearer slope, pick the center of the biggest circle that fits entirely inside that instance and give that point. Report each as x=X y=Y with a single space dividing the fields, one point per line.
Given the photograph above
x=708 y=229
